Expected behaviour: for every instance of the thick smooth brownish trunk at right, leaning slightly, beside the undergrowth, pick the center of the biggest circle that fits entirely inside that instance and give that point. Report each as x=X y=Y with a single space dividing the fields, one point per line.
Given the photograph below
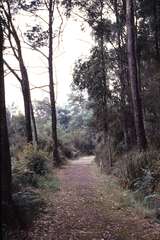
x=132 y=65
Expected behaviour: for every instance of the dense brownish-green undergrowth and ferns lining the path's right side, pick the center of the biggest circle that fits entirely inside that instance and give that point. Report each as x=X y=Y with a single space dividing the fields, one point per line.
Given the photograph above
x=139 y=174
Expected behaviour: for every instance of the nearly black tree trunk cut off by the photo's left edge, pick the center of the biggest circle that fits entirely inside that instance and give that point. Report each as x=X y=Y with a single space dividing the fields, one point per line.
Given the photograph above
x=5 y=165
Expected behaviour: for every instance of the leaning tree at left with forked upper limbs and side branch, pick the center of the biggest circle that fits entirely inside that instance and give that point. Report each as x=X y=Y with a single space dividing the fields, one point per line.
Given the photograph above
x=15 y=44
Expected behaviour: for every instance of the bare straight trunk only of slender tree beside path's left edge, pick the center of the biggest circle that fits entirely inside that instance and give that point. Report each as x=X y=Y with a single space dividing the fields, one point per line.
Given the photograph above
x=56 y=158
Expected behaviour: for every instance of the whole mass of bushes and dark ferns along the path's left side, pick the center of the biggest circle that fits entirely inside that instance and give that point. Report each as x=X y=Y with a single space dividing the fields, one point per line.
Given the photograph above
x=33 y=177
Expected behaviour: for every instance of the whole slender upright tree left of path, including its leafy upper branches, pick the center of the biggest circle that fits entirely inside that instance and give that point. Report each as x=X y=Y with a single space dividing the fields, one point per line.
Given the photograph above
x=44 y=38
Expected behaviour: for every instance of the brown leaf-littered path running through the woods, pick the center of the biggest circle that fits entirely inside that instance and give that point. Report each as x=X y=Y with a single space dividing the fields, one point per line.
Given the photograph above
x=82 y=210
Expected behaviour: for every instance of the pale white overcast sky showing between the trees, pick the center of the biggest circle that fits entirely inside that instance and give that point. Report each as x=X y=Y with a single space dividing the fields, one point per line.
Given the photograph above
x=74 y=43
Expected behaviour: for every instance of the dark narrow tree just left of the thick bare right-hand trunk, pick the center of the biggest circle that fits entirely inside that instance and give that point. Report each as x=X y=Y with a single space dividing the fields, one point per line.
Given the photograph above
x=119 y=12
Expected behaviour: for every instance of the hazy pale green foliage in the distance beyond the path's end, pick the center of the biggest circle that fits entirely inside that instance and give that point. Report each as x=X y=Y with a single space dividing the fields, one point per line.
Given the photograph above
x=73 y=123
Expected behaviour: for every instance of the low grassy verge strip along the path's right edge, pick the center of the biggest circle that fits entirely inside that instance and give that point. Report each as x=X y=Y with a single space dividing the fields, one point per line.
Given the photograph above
x=117 y=198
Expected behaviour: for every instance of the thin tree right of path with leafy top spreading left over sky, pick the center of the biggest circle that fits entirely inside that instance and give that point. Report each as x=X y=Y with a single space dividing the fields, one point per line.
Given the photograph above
x=94 y=13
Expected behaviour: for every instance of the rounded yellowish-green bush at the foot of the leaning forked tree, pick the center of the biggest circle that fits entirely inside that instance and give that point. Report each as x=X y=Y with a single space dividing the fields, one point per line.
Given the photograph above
x=29 y=165
